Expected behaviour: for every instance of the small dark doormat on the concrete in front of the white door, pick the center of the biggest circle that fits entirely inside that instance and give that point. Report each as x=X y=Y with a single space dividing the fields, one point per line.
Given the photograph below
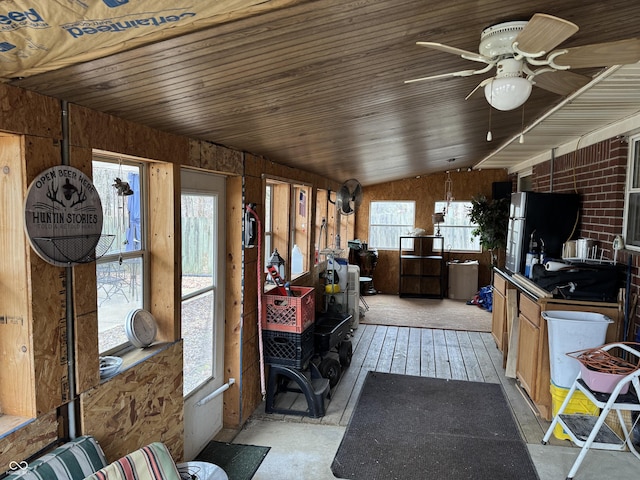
x=240 y=462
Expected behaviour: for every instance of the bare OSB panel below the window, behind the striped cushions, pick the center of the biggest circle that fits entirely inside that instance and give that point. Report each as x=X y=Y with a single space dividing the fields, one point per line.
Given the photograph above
x=140 y=405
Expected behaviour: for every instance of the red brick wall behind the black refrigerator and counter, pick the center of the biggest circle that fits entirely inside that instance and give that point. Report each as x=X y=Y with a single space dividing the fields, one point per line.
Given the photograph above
x=598 y=174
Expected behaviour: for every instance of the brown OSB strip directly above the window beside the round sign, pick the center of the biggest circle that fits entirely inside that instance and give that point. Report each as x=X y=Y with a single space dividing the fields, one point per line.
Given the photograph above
x=89 y=128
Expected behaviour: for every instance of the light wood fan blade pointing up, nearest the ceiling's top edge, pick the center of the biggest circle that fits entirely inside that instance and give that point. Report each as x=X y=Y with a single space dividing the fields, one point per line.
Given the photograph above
x=543 y=33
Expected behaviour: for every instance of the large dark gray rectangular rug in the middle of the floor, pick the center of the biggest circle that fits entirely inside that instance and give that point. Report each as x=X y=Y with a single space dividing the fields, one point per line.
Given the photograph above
x=406 y=427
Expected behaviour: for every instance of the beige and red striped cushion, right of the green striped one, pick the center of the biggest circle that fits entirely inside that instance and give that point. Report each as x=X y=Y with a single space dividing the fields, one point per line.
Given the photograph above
x=152 y=462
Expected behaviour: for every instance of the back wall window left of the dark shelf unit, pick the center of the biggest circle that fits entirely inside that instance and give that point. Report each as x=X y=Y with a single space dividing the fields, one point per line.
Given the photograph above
x=388 y=221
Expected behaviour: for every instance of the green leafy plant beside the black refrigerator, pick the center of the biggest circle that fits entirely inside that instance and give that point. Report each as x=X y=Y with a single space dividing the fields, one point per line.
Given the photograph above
x=492 y=219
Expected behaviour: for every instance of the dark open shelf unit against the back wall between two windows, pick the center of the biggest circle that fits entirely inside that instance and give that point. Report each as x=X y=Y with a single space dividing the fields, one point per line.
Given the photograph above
x=421 y=267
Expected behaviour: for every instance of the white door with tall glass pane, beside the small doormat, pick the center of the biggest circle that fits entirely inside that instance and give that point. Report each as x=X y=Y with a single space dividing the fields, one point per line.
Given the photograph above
x=203 y=245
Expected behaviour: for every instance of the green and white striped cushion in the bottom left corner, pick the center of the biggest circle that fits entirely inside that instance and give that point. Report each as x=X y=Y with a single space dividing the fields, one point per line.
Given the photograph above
x=75 y=459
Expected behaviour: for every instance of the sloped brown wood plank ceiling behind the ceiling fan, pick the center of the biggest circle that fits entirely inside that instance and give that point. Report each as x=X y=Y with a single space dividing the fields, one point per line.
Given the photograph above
x=319 y=85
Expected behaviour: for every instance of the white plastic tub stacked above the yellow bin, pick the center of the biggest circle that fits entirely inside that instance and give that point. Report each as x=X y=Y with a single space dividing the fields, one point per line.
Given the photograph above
x=568 y=332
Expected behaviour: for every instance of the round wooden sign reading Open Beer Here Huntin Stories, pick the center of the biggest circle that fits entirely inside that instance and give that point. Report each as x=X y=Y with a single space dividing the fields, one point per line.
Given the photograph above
x=63 y=216
